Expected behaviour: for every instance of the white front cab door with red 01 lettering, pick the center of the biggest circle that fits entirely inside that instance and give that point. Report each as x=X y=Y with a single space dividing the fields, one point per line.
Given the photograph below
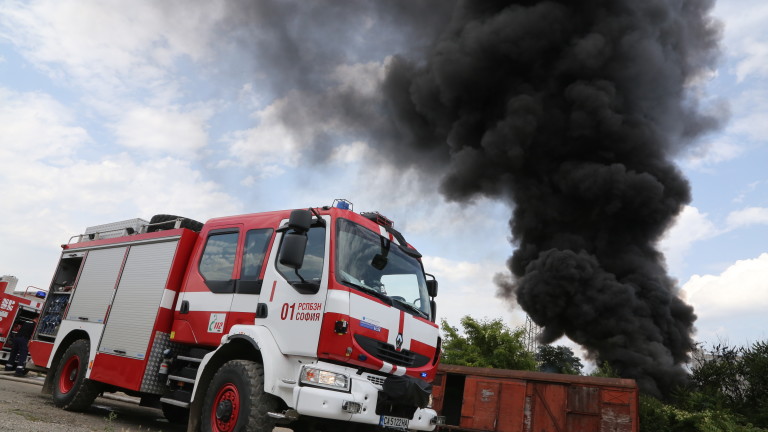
x=294 y=300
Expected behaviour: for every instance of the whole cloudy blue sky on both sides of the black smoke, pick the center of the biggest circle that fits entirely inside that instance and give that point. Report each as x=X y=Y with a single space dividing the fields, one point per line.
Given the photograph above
x=111 y=112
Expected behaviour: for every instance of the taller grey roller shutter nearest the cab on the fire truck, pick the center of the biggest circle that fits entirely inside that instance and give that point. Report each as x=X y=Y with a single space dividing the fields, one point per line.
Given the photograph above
x=134 y=311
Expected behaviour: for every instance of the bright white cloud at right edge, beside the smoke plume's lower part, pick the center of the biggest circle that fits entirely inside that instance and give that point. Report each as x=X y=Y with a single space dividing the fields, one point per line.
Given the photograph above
x=740 y=290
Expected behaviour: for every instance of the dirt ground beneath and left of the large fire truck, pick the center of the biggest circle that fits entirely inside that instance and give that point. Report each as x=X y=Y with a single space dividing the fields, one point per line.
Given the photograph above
x=24 y=409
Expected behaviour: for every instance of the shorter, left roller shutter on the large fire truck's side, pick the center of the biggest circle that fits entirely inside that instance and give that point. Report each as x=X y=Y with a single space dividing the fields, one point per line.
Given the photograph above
x=96 y=285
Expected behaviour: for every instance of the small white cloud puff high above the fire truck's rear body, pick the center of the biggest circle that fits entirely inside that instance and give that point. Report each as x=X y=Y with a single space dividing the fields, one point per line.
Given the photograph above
x=164 y=130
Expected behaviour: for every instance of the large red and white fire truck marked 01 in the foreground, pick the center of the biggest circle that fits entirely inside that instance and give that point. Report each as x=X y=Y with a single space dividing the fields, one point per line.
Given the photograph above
x=321 y=319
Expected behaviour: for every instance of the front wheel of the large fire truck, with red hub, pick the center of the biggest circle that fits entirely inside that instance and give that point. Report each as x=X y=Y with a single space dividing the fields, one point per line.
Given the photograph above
x=236 y=401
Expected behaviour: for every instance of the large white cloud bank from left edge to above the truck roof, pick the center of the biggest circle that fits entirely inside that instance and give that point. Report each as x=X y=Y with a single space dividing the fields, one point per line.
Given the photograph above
x=49 y=191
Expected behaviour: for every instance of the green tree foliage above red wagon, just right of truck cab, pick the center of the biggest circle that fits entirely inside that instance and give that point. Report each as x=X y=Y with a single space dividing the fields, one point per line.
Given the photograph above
x=486 y=343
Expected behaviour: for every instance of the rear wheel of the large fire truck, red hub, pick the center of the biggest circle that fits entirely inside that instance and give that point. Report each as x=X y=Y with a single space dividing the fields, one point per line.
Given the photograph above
x=71 y=389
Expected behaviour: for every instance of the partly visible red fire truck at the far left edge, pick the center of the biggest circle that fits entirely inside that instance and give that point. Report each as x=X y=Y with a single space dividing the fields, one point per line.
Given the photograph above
x=14 y=311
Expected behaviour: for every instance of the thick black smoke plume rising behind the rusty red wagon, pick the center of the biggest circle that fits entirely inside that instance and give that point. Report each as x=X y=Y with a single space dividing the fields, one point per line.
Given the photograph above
x=571 y=111
